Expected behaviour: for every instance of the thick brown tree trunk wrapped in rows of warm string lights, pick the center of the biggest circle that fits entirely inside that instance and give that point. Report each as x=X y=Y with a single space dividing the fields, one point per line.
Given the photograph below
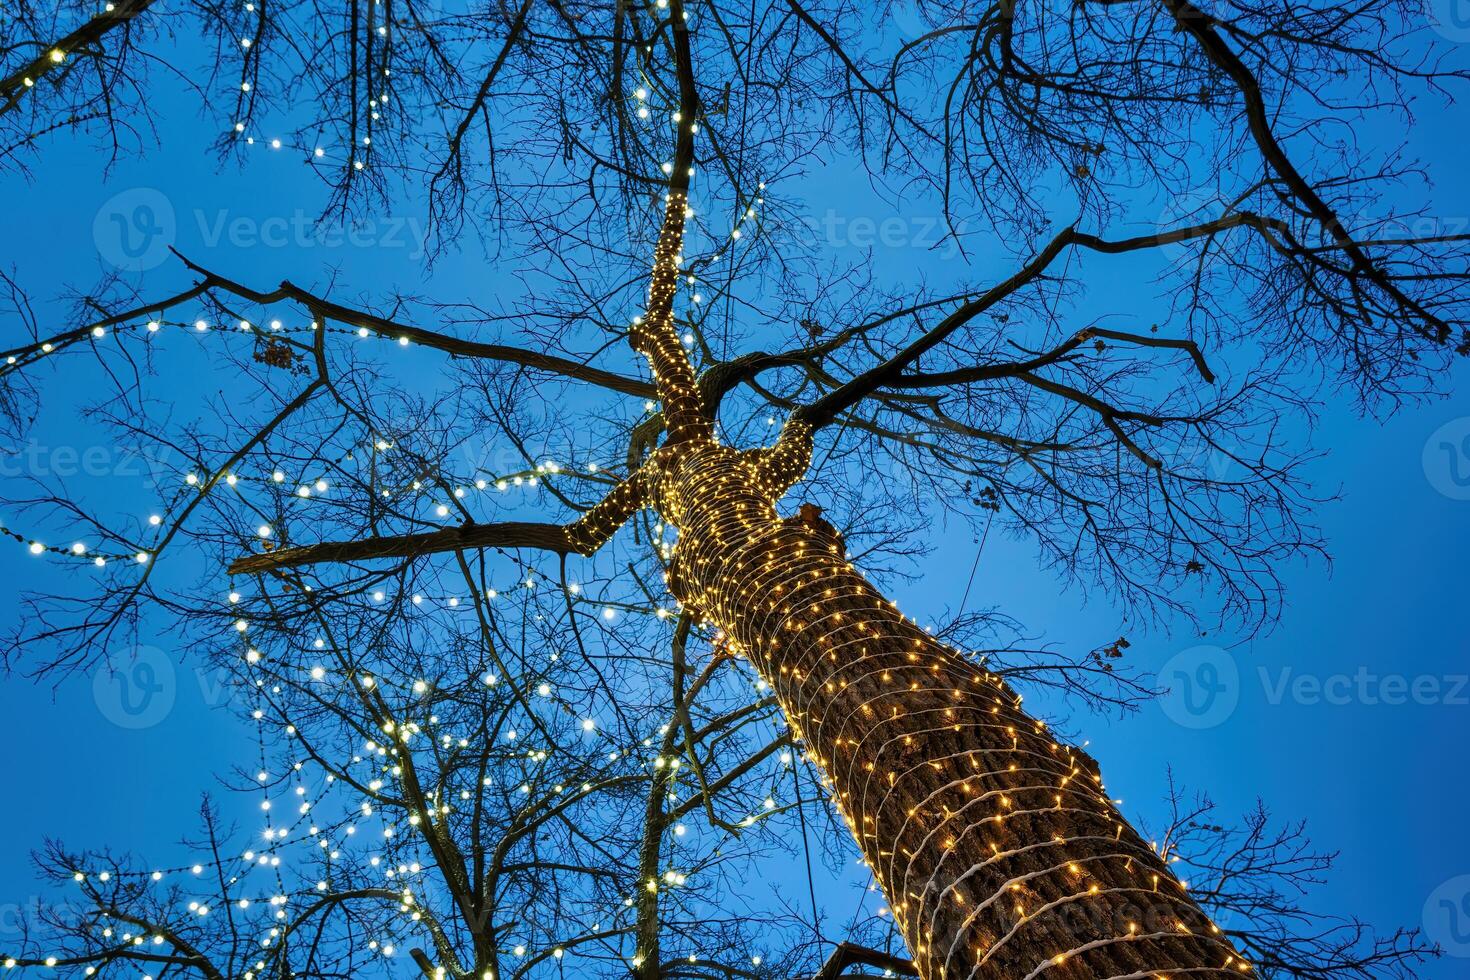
x=996 y=846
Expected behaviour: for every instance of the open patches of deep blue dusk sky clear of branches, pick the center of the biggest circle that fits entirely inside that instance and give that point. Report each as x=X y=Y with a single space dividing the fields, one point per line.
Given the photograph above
x=1352 y=715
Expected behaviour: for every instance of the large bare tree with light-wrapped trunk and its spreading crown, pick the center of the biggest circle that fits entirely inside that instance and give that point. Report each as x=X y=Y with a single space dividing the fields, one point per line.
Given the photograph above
x=994 y=840
